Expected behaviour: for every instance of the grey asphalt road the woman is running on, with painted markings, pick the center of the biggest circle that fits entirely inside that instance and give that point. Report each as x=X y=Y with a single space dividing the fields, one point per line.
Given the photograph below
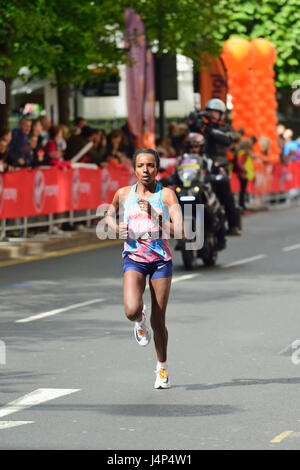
x=76 y=379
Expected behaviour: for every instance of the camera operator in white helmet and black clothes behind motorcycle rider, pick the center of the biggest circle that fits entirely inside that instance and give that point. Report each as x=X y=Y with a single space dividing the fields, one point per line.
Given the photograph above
x=218 y=138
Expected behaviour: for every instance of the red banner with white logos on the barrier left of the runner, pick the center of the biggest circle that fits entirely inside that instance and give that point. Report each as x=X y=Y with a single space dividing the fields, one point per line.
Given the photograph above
x=26 y=193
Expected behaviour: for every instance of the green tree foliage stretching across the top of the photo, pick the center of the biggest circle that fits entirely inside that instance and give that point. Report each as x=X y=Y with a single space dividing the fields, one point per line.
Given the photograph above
x=62 y=38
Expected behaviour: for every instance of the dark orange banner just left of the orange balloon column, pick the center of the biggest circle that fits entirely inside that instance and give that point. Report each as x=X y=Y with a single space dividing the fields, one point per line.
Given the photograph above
x=212 y=80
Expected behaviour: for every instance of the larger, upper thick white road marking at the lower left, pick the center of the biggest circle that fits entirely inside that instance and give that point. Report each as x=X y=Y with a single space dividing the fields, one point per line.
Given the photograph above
x=41 y=395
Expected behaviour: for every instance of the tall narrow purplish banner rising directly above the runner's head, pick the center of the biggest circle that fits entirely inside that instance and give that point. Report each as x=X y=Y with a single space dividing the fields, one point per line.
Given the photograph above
x=135 y=42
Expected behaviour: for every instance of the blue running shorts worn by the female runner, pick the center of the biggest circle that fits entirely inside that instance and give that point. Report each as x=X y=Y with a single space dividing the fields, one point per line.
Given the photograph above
x=155 y=269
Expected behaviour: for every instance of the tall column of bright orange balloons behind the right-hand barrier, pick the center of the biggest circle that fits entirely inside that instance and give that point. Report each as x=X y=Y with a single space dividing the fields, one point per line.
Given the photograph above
x=251 y=84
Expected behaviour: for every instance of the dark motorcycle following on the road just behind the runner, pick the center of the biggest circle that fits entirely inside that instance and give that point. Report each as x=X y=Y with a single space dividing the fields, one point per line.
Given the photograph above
x=192 y=188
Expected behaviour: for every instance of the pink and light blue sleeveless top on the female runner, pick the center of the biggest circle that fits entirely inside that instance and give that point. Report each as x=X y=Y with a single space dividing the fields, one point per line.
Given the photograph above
x=145 y=246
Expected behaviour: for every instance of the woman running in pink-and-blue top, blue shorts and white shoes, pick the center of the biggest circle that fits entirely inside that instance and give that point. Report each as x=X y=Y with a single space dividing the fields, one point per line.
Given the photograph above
x=151 y=216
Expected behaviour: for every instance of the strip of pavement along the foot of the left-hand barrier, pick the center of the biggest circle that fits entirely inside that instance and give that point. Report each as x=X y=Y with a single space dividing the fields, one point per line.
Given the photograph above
x=20 y=248
